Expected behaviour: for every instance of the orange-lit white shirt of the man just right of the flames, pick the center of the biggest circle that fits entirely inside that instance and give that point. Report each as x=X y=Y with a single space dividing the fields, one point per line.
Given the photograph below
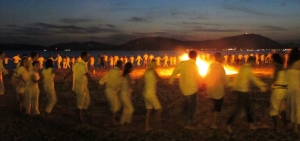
x=216 y=80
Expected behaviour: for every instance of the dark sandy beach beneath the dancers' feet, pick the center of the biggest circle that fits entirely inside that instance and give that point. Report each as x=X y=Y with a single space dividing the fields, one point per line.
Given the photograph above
x=62 y=123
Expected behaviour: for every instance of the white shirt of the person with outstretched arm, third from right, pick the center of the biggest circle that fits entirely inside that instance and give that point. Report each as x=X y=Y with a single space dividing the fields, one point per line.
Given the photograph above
x=244 y=77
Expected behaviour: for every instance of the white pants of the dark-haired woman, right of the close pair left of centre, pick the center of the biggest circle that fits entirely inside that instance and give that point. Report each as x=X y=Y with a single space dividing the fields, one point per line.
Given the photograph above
x=127 y=108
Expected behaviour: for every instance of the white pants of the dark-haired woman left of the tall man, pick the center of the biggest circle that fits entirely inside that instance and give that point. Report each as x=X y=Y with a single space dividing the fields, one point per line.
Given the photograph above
x=51 y=96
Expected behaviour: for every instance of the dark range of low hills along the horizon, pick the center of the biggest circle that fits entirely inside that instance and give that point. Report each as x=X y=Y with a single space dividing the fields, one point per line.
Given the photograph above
x=240 y=42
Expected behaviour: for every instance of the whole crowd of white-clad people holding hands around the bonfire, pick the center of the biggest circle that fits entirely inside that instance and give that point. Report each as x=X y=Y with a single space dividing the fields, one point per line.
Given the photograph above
x=119 y=86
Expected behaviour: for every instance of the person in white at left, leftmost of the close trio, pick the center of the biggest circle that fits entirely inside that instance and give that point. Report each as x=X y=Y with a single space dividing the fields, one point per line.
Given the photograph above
x=22 y=74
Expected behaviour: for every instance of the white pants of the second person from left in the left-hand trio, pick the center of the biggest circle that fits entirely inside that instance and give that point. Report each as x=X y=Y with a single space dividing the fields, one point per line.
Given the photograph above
x=31 y=100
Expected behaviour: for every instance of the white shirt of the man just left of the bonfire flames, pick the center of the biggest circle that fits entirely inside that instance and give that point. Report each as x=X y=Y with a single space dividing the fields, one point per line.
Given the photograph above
x=190 y=79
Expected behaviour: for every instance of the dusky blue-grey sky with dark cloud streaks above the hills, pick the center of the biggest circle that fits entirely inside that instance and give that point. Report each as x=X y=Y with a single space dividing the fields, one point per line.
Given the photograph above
x=47 y=22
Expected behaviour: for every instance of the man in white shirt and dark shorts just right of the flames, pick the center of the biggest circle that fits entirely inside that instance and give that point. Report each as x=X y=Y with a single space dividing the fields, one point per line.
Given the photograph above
x=216 y=80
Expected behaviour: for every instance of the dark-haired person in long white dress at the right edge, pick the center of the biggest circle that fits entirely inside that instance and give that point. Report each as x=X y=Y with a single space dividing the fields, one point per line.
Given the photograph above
x=293 y=90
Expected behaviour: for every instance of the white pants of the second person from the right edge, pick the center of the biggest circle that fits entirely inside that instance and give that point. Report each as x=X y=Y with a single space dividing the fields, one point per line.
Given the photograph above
x=277 y=101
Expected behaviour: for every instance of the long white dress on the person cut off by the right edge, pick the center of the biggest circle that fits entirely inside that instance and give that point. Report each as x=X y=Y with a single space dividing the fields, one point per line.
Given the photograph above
x=293 y=93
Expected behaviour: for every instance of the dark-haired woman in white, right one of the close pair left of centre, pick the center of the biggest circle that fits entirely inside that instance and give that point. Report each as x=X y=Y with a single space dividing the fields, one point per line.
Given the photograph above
x=125 y=94
